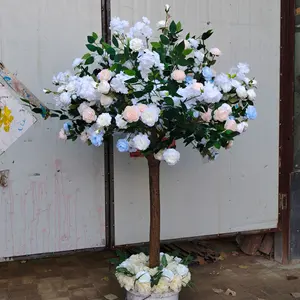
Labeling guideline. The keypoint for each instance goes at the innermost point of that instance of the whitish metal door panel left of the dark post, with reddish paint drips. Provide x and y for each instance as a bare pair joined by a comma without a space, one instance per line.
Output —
55,198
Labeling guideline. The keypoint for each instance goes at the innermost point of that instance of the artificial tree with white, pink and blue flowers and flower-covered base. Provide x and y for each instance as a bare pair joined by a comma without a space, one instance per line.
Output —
153,92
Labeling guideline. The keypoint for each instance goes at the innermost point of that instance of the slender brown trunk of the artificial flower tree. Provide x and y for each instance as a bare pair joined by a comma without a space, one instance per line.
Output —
154,250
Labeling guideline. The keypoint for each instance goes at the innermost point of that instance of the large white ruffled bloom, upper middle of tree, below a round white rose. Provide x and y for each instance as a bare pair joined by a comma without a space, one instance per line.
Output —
148,60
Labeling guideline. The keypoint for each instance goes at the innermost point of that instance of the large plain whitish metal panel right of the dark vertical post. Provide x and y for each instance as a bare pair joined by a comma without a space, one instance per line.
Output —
239,191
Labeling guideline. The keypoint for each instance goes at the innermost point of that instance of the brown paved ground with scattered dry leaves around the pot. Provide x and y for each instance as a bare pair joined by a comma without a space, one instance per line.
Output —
89,276
